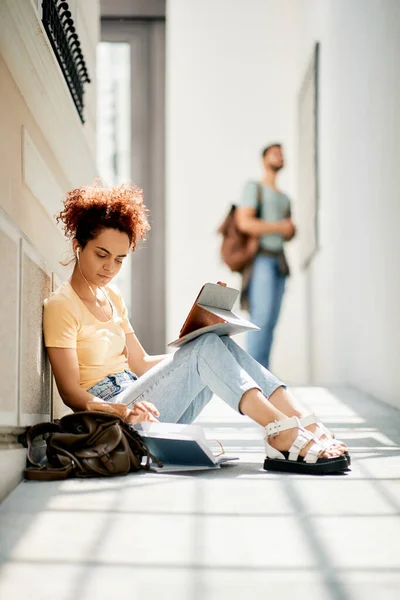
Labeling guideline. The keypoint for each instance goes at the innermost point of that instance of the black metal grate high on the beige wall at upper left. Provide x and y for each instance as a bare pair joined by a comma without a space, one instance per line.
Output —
59,25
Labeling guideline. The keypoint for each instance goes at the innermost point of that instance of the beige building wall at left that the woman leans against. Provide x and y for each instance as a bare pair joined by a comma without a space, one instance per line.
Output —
45,149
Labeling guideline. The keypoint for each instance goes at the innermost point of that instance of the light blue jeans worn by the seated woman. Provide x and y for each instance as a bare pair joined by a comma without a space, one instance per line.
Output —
183,383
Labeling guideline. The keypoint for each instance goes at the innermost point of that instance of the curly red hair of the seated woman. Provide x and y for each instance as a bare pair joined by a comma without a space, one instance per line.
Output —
90,209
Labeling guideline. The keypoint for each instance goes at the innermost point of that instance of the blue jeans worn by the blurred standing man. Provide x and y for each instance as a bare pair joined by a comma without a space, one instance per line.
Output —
266,291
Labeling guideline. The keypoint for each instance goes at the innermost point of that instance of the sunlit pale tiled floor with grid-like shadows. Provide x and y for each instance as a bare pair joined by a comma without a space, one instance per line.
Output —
229,534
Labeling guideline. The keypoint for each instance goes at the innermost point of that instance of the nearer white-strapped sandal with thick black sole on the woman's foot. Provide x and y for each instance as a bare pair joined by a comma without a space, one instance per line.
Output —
291,461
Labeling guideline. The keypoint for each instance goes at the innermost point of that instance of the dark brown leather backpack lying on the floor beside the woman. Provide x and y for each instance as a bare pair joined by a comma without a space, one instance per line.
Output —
85,444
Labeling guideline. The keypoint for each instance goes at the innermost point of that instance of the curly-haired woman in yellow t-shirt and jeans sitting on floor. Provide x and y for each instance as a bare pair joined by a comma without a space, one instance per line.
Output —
96,356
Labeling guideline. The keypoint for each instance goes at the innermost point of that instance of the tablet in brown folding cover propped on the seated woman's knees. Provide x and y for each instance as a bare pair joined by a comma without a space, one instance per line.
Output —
212,312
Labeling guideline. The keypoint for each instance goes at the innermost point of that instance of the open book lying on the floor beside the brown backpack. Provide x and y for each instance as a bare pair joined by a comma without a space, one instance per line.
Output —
180,447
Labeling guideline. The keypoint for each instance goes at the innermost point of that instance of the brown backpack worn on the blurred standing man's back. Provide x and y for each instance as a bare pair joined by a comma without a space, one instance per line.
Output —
238,249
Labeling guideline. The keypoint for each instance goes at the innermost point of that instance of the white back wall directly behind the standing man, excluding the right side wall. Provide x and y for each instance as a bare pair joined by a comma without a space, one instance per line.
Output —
231,88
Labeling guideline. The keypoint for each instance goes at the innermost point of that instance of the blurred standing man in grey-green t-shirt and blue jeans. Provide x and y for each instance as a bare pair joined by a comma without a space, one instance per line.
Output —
270,269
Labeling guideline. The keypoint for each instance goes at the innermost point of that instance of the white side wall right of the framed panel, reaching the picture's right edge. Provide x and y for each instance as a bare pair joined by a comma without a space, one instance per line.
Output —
355,277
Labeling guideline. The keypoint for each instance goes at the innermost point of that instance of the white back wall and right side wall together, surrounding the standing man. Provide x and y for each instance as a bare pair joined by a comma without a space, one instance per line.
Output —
234,71
